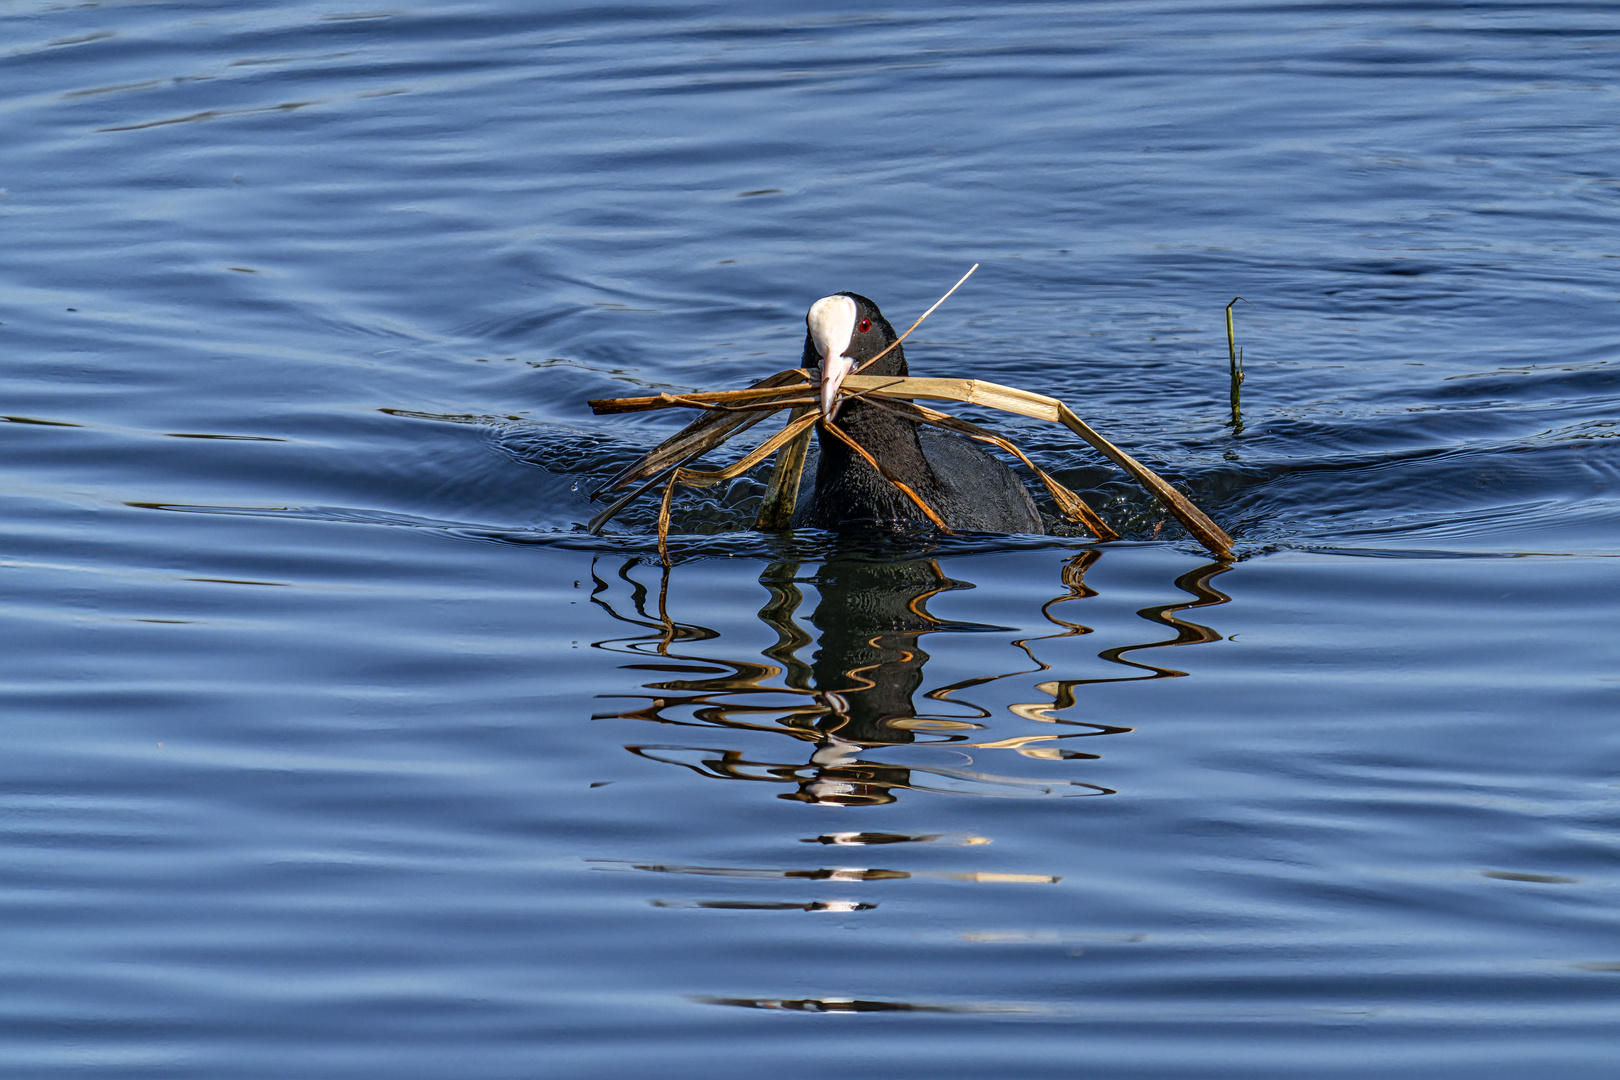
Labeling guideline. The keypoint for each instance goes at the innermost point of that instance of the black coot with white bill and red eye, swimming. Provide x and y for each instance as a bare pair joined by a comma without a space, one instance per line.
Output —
968,488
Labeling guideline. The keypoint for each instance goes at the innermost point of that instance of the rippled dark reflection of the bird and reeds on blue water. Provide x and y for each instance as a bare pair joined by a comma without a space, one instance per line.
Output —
856,700
